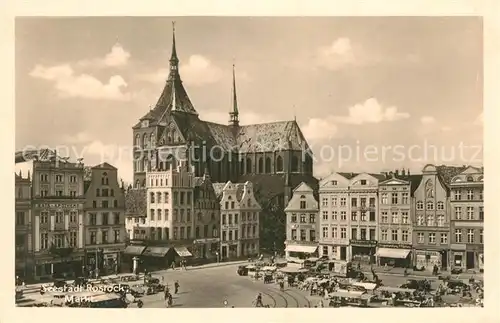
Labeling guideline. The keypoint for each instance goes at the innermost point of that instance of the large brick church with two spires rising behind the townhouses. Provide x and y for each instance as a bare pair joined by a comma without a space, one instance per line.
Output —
274,156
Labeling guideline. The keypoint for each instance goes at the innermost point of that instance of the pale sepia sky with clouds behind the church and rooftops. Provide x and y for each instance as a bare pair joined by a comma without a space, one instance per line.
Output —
370,93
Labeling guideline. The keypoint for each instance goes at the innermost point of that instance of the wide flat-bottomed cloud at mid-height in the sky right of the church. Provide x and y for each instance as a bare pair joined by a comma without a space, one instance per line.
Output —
371,111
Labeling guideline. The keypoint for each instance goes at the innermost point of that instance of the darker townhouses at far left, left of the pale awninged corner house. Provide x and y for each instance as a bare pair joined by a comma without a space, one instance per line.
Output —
70,220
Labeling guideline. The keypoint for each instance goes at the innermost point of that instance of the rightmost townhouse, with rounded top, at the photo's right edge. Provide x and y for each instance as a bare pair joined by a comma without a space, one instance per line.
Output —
467,219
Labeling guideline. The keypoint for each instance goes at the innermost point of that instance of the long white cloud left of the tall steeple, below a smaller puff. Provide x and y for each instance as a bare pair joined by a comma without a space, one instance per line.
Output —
71,85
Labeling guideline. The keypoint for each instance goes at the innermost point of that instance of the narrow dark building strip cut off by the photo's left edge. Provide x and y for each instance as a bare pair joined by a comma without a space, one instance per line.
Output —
23,227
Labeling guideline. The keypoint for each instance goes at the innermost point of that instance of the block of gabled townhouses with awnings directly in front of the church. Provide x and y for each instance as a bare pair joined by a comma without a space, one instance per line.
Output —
180,215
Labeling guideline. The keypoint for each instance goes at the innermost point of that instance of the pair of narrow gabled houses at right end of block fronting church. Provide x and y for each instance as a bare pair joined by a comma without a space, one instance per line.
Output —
239,221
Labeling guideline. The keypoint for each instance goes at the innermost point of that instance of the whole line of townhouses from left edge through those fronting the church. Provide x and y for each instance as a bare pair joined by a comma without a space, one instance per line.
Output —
73,220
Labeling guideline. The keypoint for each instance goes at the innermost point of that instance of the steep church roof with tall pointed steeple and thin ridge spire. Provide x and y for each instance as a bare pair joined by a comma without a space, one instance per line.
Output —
174,105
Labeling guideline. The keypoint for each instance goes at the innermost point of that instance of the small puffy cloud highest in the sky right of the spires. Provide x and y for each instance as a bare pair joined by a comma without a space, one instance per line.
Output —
337,55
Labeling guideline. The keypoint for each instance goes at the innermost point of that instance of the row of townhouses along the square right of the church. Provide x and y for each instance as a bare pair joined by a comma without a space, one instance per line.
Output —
399,219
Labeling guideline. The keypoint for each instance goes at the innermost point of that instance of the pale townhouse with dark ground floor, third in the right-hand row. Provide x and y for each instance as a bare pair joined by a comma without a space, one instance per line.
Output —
363,216
